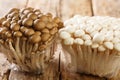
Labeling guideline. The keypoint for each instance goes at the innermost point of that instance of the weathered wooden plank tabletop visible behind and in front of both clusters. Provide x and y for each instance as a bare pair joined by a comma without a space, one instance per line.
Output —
64,9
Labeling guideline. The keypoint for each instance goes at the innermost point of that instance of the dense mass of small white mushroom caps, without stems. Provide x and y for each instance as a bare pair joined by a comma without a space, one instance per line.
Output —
98,32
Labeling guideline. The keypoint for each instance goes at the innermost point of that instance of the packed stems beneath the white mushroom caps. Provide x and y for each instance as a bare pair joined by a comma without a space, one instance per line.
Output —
85,59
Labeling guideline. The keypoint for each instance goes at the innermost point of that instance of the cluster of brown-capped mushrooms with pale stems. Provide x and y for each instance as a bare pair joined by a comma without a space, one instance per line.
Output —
28,31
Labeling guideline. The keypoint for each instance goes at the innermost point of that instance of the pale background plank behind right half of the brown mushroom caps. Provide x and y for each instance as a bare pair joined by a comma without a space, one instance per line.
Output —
44,5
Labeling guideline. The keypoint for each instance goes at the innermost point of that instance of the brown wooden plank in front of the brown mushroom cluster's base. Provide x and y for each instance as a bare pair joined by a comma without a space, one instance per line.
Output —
50,74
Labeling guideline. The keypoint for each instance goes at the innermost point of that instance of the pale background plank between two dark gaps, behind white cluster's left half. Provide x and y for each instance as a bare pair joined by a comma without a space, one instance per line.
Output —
72,7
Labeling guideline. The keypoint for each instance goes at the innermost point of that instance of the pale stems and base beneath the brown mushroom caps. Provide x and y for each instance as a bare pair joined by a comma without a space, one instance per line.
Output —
26,58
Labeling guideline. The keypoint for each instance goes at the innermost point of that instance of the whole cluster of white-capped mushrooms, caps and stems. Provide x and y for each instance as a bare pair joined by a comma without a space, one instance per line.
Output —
93,44
